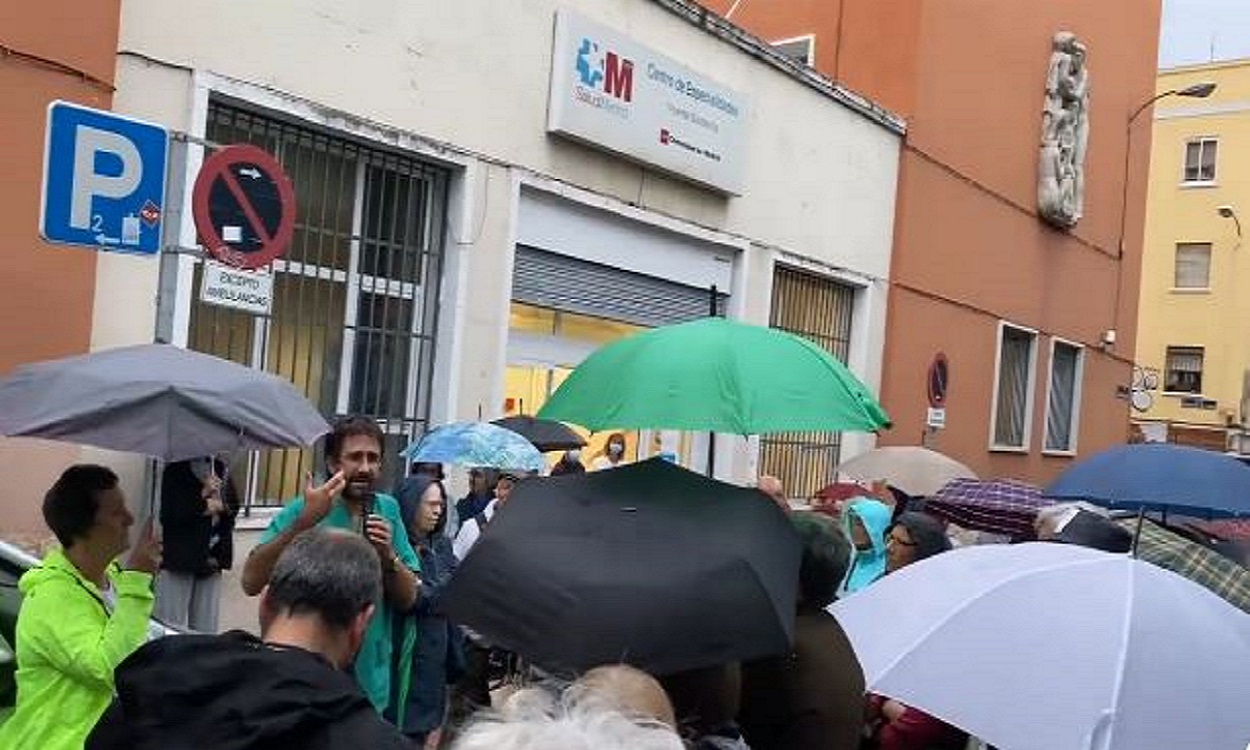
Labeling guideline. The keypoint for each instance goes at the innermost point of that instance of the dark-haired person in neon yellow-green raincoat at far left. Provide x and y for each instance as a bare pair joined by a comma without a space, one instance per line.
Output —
82,613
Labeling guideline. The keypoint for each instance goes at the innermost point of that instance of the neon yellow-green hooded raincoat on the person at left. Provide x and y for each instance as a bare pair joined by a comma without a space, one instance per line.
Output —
68,646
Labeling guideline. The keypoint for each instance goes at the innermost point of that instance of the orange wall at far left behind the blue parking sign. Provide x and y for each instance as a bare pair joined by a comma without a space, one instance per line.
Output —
58,49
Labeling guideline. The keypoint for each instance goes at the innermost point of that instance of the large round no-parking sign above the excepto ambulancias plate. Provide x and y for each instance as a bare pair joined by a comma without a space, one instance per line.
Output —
244,207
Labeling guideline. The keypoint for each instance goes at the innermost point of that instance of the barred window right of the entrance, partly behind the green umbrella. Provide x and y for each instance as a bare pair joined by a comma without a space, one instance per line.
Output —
821,311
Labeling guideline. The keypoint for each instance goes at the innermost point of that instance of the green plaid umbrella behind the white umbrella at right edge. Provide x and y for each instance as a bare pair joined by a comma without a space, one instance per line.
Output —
1199,564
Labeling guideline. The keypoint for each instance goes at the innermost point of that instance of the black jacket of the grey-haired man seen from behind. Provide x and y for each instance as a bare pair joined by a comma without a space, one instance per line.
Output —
234,693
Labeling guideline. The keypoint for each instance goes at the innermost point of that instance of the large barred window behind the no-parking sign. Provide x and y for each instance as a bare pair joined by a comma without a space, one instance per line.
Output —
356,298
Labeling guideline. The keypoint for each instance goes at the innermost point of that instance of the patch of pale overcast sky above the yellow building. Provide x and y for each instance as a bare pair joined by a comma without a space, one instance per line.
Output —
1192,27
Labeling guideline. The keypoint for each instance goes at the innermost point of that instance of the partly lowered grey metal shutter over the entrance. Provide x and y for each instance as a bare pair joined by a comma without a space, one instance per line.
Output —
571,284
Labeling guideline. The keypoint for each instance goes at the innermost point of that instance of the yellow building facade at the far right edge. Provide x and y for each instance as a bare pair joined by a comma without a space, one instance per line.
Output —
1193,356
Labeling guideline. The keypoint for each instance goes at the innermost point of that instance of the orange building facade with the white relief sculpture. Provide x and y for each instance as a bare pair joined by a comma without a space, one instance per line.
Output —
1036,324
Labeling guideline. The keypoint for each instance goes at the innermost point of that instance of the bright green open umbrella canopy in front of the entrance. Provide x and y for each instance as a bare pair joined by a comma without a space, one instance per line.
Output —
718,376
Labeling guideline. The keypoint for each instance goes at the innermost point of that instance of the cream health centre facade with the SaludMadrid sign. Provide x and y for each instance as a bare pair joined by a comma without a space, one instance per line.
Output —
466,236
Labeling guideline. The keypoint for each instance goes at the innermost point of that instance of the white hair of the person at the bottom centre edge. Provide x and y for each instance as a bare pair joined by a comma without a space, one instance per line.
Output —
536,719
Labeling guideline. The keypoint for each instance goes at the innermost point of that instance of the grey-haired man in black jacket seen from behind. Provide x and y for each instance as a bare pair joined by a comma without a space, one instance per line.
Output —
291,688
